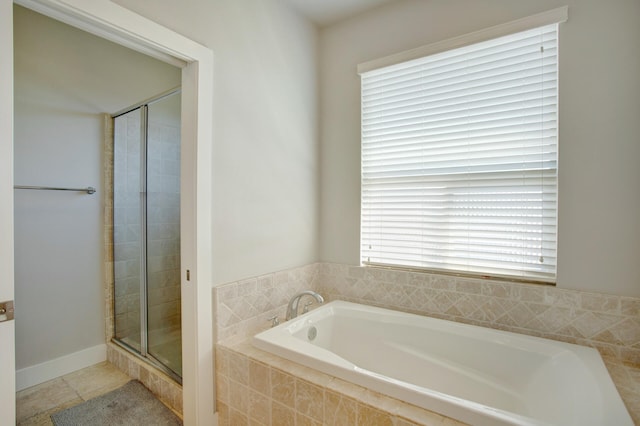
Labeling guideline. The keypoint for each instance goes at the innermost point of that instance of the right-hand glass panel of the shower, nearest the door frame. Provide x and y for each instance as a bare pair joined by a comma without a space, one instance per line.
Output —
163,232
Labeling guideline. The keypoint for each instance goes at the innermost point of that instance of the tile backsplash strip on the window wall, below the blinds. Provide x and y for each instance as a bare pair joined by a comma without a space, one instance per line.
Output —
609,323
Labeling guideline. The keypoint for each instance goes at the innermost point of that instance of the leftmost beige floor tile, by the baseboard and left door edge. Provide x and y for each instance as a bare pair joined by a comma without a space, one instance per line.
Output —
43,397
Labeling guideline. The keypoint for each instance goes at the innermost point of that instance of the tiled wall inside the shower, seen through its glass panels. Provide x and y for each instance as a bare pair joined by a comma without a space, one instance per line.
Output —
163,232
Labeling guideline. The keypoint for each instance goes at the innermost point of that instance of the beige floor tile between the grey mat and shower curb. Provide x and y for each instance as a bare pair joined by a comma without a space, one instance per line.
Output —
96,380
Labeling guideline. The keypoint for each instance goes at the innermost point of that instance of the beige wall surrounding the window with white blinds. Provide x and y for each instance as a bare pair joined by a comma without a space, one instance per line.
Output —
599,224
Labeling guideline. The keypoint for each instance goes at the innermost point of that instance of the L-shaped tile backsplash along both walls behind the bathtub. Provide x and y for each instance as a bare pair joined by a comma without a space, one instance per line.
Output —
609,323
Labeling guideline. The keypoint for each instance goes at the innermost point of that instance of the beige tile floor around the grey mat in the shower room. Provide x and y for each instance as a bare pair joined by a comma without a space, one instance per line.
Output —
34,405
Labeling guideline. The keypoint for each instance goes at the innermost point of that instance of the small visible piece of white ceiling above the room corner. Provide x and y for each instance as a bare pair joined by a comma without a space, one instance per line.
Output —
327,12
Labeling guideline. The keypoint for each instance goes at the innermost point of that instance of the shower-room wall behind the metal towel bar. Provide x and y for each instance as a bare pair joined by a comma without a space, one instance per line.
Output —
64,80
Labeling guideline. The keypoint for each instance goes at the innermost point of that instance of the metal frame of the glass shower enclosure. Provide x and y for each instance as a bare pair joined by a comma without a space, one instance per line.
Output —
143,353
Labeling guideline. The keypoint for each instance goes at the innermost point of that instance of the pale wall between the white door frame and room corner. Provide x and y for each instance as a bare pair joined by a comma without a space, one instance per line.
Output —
265,148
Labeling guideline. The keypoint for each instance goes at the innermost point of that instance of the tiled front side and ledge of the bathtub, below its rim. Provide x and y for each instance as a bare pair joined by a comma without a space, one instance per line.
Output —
257,388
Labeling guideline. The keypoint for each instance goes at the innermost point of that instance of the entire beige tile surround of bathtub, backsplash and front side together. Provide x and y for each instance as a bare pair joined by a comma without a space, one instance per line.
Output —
609,323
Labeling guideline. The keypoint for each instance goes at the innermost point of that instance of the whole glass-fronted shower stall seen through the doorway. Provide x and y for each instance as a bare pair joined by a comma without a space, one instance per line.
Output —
146,231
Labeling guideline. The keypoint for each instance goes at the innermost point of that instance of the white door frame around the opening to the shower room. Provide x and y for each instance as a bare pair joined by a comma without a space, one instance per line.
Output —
115,23
